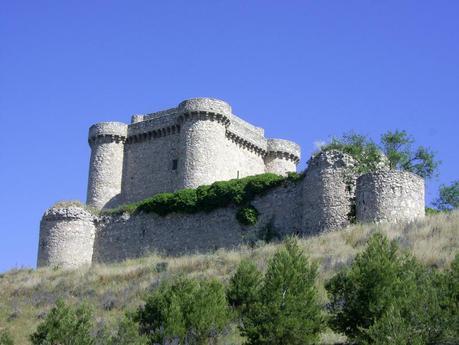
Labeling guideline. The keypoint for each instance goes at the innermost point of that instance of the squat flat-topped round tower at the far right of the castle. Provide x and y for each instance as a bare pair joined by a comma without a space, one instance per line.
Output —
393,196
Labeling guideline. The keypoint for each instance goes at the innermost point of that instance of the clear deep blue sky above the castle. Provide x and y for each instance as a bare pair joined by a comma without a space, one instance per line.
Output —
304,70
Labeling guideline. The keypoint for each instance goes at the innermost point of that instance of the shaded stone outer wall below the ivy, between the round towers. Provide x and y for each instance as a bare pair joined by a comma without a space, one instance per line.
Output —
130,236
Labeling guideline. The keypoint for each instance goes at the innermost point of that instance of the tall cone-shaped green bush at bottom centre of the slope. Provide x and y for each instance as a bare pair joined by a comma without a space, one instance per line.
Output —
287,310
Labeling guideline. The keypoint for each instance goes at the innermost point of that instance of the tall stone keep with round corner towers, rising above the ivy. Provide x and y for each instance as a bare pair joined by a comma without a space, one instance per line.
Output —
198,142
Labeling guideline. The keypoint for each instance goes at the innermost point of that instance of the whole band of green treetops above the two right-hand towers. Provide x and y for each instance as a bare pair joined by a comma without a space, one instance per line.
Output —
395,151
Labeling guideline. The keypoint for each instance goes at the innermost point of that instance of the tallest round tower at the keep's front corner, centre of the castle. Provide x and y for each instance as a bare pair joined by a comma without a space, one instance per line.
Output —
203,127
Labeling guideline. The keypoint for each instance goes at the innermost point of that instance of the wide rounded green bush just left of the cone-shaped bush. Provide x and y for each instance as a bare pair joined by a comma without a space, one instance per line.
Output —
185,310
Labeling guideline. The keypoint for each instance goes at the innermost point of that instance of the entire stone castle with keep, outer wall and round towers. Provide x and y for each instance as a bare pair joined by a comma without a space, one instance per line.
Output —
197,143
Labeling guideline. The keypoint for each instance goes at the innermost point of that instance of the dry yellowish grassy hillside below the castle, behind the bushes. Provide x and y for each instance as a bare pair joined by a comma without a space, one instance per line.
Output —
26,295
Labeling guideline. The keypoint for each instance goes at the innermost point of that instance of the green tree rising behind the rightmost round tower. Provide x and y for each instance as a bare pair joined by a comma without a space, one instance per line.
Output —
397,146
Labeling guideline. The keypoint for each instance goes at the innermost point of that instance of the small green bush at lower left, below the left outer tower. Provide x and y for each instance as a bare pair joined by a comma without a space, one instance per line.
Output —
65,325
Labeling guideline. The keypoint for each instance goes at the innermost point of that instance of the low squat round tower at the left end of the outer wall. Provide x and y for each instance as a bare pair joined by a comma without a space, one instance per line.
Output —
66,236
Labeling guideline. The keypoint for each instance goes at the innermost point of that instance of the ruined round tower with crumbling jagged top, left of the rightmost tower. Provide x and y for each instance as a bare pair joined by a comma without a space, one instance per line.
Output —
328,192
